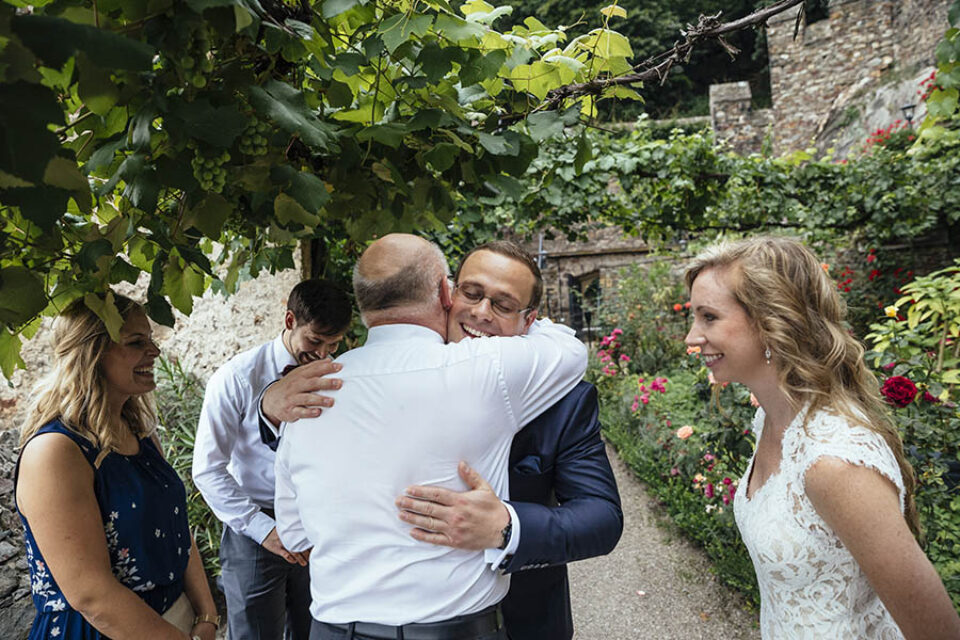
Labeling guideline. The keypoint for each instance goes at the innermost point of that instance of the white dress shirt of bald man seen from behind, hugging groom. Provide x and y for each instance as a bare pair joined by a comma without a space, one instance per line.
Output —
411,407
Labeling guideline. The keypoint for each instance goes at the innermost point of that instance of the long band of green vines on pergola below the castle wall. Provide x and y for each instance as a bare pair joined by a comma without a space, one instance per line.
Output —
672,188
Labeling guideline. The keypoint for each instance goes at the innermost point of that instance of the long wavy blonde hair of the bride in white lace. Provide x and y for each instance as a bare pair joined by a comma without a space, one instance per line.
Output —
798,315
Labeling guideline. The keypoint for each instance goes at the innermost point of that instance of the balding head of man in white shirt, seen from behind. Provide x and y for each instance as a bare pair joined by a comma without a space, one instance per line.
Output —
399,272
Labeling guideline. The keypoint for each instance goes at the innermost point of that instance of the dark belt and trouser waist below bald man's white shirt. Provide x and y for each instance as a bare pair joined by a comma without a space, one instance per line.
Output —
464,627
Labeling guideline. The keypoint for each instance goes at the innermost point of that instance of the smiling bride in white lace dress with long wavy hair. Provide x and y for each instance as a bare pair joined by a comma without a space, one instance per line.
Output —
826,505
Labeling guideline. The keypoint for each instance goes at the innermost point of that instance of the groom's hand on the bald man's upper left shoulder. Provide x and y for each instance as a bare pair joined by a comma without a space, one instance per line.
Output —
292,397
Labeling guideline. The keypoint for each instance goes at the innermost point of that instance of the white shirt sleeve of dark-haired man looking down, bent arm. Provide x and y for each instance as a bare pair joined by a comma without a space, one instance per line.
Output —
218,429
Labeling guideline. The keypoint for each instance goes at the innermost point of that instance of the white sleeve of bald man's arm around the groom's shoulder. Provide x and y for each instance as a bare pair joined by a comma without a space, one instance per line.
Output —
540,368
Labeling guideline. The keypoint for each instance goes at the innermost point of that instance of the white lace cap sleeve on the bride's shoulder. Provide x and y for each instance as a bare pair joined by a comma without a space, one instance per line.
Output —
833,437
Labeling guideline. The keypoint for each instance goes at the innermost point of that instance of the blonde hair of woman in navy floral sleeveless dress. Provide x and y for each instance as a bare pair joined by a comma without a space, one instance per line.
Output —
75,389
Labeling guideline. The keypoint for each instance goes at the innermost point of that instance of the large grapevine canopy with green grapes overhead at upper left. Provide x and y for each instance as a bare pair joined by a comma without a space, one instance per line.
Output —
140,139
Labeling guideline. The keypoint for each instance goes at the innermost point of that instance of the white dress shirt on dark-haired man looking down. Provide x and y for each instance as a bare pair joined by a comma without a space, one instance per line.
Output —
232,468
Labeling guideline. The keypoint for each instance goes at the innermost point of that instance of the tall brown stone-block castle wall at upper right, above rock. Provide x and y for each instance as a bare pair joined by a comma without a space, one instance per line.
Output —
861,39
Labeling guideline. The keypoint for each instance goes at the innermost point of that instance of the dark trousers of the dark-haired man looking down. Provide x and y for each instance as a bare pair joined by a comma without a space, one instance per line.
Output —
265,593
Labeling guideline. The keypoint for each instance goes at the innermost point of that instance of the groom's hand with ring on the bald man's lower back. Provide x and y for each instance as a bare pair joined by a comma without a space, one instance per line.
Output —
472,520
